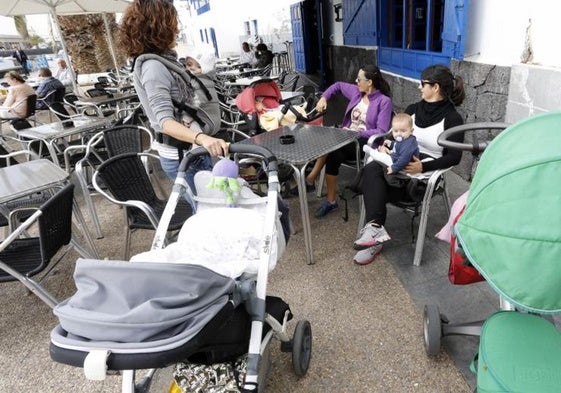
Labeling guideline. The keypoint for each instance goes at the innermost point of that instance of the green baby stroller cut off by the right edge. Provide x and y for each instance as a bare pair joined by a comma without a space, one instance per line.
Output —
509,233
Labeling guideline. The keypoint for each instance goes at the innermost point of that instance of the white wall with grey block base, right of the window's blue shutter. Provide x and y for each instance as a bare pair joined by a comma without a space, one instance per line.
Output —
523,35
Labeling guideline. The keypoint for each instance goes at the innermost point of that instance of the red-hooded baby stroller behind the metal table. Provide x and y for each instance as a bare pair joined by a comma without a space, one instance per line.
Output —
262,109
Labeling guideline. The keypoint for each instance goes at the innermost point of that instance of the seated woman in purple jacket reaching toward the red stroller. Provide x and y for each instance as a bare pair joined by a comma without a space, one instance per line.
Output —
369,112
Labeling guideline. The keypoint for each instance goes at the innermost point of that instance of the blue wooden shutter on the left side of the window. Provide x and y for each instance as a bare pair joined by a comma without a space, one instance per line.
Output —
359,22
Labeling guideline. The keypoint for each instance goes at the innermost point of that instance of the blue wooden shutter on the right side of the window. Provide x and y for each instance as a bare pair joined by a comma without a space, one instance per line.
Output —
454,32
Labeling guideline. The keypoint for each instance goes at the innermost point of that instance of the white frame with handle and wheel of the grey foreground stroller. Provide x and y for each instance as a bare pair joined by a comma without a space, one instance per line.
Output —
251,291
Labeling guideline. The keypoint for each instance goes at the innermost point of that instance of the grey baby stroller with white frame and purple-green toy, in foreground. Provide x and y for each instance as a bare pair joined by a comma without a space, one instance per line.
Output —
127,316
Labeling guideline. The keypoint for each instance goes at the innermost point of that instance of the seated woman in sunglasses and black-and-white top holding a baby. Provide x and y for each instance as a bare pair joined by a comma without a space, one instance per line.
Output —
441,92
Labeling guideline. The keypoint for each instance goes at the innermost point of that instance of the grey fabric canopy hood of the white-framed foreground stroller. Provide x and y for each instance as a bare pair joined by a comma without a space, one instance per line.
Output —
140,301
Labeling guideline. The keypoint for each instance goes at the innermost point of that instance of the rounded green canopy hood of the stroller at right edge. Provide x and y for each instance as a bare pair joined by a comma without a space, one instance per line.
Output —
510,228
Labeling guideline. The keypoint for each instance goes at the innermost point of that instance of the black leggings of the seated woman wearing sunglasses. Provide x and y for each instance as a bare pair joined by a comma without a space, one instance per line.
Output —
377,193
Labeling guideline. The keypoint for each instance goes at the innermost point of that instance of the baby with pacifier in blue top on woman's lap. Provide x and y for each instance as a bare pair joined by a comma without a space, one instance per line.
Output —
397,153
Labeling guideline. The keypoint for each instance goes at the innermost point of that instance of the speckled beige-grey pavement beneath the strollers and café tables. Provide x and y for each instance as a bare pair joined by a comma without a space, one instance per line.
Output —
367,329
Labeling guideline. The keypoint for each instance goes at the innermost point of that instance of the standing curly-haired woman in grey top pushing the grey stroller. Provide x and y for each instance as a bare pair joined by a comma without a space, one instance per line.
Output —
151,27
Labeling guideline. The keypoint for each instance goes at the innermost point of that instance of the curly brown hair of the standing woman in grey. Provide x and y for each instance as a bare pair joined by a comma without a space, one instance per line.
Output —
148,26
